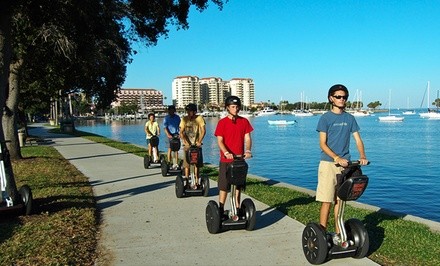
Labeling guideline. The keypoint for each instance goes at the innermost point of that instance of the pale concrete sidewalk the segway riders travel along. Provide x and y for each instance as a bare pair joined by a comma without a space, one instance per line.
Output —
143,223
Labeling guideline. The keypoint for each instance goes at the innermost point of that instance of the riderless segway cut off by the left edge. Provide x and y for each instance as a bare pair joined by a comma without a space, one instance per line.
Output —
23,201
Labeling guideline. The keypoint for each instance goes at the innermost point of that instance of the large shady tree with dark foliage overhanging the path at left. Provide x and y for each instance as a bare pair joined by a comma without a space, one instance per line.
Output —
69,24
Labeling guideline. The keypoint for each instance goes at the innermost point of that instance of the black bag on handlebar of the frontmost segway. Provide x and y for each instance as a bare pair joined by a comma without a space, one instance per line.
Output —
351,184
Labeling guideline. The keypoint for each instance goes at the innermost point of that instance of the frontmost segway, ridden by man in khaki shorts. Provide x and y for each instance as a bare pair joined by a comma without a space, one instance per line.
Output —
319,246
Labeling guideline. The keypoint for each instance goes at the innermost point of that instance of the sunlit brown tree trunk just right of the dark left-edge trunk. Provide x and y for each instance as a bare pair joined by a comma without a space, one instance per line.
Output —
10,116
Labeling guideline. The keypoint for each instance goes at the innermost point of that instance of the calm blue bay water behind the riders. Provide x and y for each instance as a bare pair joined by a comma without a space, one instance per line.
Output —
404,173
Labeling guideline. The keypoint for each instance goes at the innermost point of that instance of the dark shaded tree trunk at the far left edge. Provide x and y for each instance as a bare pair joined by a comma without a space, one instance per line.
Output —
5,59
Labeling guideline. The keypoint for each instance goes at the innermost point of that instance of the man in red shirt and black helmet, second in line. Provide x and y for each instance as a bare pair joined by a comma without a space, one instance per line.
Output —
233,134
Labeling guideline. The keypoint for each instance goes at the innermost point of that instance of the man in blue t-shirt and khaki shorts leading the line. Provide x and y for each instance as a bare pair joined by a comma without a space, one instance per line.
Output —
335,128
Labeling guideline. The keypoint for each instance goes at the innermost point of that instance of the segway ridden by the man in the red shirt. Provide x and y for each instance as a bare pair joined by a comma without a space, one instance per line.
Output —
231,219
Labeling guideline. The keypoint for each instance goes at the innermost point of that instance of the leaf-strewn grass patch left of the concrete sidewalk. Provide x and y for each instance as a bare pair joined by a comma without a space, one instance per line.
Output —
64,228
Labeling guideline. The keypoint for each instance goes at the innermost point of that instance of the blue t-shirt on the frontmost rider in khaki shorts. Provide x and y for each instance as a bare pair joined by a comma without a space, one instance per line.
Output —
338,127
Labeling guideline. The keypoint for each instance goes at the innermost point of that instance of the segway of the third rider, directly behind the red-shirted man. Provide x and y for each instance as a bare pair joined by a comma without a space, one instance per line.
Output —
188,186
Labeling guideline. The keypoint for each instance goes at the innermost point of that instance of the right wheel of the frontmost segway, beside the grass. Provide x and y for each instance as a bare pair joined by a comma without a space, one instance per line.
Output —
358,234
